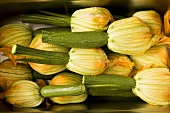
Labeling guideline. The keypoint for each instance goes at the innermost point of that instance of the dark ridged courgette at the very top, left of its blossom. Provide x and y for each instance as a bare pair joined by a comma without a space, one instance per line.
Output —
51,19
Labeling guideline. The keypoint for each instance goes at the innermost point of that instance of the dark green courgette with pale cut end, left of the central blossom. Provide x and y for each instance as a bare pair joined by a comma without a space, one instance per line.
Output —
40,56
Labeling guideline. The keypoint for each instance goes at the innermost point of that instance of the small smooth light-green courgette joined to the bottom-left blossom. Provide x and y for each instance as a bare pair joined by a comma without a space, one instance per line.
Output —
62,90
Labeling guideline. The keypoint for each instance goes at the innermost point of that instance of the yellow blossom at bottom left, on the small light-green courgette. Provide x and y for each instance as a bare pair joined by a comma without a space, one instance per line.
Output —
24,93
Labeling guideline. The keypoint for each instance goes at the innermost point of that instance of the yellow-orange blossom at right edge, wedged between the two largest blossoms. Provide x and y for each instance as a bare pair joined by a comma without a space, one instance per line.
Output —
156,57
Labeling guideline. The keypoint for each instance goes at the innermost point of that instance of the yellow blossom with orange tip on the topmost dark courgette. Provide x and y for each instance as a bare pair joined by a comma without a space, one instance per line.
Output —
91,19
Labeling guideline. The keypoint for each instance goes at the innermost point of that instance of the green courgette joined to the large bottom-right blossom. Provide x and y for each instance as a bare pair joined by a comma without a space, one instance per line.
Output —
118,81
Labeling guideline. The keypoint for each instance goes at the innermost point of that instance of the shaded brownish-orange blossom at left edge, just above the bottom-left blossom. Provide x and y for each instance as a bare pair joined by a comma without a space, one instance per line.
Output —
9,73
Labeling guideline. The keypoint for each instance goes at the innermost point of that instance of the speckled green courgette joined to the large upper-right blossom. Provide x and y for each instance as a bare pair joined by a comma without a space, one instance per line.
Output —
92,39
